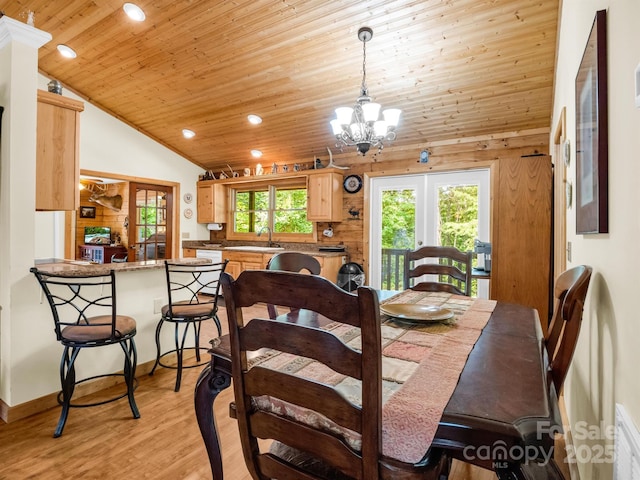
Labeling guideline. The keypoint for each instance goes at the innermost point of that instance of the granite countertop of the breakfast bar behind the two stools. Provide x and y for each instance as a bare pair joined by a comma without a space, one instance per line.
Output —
80,268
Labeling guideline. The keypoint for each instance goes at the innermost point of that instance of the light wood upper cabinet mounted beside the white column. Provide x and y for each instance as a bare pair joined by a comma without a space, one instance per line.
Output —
57,154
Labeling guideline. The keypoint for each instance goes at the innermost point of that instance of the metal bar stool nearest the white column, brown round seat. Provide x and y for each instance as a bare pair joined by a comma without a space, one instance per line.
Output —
84,314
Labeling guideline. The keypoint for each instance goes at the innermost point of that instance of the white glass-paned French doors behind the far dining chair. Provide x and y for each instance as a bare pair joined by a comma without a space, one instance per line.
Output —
410,211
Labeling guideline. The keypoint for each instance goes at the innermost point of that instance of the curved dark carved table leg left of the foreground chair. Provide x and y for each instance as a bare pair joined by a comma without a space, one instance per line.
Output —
210,383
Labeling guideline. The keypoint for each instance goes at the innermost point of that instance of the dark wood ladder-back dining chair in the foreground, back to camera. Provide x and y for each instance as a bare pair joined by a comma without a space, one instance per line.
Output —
273,403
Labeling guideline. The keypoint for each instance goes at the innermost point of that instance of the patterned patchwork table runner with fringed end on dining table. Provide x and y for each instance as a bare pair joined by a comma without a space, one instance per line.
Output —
421,365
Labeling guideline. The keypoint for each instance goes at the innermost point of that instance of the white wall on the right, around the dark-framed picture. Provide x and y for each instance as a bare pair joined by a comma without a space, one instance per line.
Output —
605,366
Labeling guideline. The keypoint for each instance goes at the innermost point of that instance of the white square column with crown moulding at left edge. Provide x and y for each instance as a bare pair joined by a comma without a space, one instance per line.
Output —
19,44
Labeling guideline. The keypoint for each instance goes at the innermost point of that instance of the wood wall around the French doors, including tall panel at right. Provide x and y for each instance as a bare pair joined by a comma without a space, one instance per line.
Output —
521,210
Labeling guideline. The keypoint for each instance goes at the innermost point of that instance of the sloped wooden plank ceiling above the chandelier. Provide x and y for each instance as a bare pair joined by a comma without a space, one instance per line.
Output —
456,68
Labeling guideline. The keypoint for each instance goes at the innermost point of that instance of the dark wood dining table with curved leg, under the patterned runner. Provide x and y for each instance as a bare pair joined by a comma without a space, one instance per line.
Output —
503,414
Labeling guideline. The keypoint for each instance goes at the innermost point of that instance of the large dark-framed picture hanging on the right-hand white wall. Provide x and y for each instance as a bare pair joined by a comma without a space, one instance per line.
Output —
592,178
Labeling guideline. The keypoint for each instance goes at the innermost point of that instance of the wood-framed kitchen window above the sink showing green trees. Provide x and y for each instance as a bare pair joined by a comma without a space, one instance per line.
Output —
279,207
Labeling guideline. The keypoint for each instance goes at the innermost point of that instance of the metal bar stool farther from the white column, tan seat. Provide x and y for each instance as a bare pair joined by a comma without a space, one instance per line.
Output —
193,298
